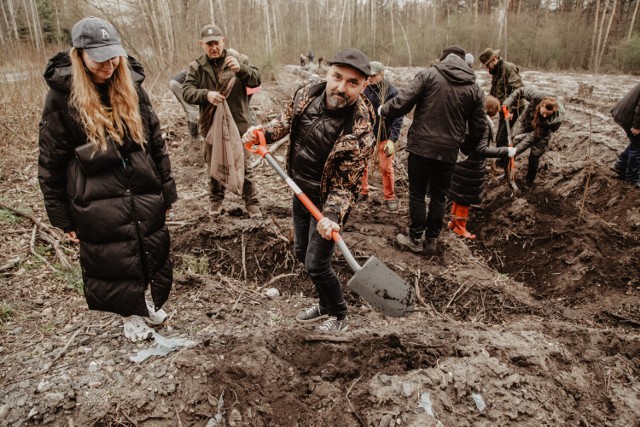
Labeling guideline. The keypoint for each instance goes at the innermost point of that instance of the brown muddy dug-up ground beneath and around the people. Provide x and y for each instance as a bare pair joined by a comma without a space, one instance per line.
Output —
535,323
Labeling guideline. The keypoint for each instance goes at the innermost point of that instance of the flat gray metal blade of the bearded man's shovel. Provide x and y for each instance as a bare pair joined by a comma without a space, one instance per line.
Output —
383,288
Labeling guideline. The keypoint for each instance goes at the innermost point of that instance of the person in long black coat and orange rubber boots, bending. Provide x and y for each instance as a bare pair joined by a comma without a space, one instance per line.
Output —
468,176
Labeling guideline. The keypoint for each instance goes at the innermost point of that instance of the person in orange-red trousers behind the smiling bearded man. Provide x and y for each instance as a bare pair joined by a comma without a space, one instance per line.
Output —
387,131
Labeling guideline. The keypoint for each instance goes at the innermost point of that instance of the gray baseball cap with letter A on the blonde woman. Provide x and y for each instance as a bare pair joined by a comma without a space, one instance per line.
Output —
98,38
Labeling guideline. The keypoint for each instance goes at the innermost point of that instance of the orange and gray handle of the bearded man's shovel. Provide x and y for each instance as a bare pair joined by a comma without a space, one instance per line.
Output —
262,150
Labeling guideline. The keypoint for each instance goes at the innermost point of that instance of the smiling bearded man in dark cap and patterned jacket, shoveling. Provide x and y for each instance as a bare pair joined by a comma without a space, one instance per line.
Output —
331,140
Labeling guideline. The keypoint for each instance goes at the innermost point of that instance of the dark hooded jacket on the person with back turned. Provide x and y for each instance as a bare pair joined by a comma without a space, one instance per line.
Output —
446,99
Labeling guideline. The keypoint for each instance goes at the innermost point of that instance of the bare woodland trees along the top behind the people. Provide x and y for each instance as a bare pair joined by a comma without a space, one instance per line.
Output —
577,35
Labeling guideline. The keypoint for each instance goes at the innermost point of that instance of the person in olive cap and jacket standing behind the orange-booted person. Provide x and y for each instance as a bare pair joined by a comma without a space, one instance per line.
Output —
505,79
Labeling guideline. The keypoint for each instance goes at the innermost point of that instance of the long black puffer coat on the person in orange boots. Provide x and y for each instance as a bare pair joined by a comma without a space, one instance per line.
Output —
467,181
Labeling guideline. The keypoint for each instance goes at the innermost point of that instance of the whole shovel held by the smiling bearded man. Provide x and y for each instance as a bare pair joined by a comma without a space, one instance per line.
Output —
374,282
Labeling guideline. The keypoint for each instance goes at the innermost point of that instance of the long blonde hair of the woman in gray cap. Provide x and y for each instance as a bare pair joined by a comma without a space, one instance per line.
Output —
99,123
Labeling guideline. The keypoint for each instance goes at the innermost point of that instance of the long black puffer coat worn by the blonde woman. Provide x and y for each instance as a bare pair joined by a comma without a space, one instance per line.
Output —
118,212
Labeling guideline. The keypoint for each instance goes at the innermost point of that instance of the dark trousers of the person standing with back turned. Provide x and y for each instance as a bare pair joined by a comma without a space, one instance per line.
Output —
435,176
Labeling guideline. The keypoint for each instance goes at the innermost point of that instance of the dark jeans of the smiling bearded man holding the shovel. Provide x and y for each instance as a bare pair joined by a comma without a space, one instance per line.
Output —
315,253
